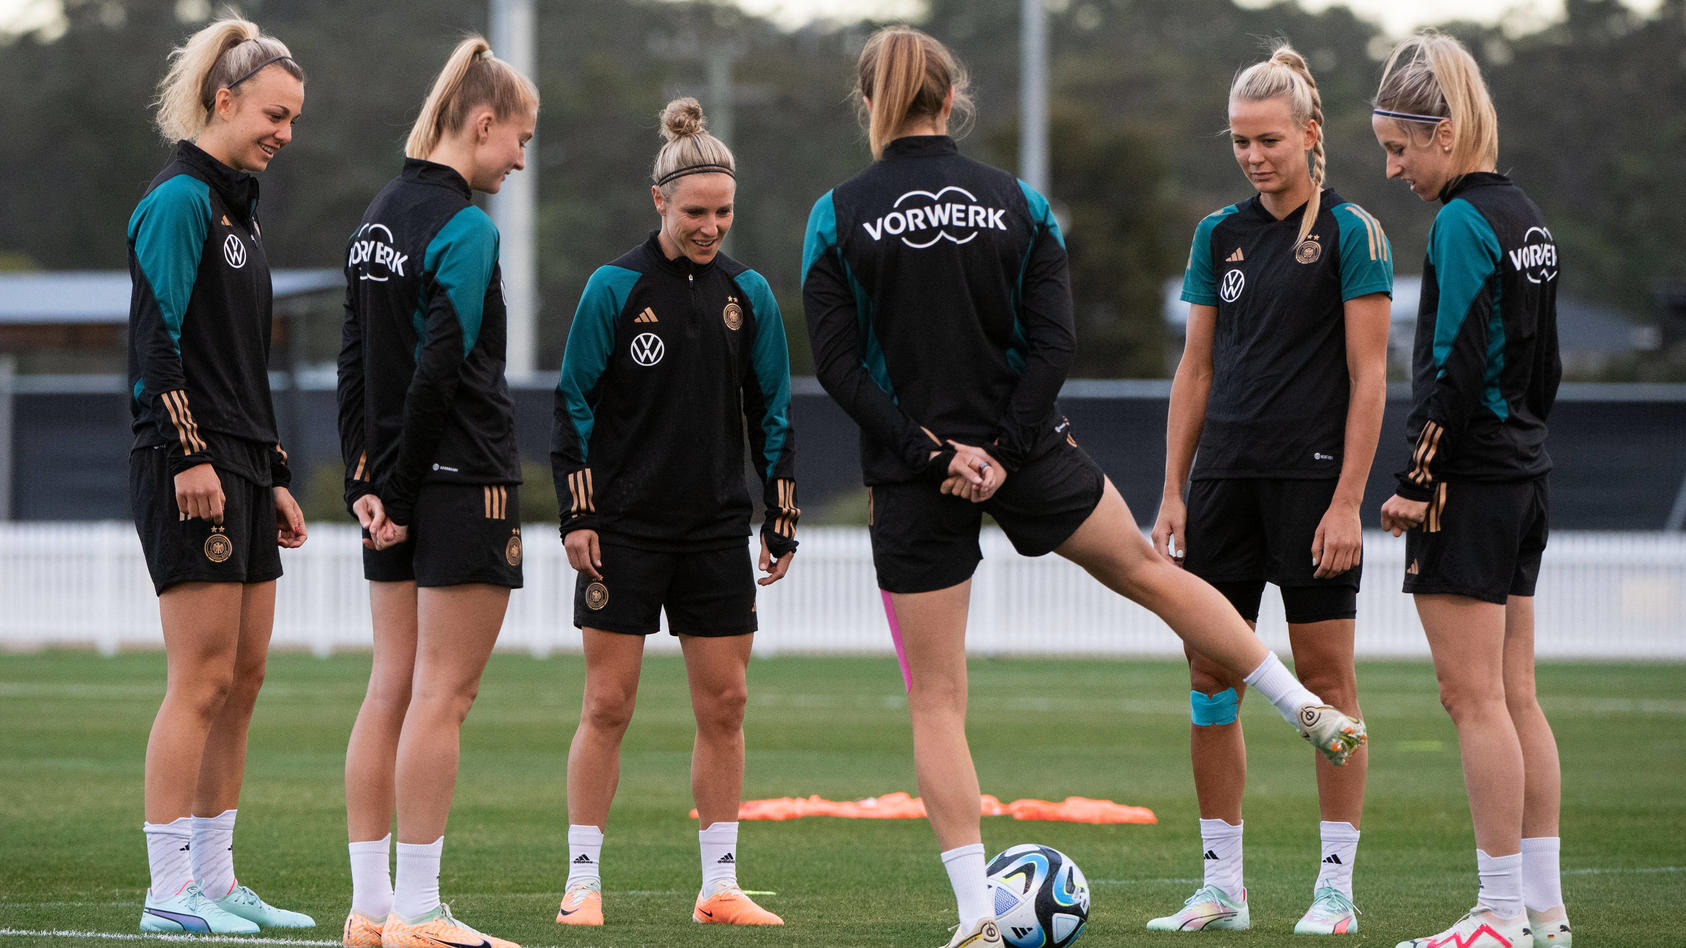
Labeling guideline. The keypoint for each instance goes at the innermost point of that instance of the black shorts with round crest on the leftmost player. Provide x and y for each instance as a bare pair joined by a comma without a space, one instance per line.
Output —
242,549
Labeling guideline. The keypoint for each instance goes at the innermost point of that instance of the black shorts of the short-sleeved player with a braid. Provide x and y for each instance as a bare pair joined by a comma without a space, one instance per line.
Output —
1245,532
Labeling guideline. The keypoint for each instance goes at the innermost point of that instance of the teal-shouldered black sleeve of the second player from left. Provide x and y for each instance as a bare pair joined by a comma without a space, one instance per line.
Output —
458,271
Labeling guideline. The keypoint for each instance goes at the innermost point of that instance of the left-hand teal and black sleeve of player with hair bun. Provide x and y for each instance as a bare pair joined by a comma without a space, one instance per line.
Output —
584,362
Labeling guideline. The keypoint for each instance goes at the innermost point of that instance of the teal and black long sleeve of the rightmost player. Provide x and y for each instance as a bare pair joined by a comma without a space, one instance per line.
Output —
1464,256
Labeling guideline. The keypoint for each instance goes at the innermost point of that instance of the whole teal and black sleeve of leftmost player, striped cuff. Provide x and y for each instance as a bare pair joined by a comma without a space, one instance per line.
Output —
166,239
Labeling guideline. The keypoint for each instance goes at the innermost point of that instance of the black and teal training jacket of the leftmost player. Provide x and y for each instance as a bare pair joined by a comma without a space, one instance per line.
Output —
200,321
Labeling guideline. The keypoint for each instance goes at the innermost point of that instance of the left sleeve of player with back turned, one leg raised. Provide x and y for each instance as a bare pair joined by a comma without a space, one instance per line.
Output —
837,308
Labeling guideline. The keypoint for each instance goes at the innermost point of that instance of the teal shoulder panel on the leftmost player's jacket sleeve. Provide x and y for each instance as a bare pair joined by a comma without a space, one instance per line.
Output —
169,235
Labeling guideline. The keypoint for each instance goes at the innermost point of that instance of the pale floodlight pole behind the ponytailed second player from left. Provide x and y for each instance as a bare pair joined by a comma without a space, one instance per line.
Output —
513,31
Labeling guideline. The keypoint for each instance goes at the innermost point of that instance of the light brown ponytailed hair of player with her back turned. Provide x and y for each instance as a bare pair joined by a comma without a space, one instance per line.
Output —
908,75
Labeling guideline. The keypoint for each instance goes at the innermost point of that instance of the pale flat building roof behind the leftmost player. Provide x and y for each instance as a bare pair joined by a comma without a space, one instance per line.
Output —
85,298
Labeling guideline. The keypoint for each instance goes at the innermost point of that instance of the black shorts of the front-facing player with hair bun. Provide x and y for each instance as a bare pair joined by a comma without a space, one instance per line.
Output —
707,593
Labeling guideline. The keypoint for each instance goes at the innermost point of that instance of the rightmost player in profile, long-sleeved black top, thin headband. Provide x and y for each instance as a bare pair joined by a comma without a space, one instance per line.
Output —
1473,500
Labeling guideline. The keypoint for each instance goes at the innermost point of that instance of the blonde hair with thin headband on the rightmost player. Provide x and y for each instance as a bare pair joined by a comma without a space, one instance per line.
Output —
1431,78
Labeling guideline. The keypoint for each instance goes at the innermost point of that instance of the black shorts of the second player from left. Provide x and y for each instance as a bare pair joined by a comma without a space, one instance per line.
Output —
459,534
